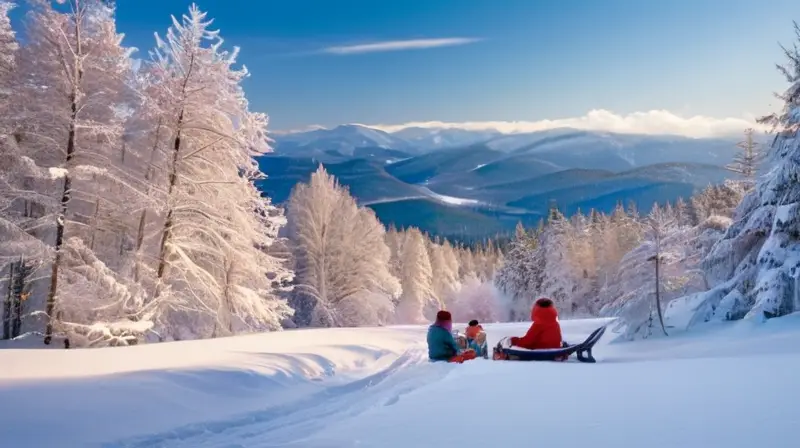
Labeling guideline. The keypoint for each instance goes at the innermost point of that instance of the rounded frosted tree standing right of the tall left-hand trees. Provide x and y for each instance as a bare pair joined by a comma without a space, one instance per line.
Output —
341,258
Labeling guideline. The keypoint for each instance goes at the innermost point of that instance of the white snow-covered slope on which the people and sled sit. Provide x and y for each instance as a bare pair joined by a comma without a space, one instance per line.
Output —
726,385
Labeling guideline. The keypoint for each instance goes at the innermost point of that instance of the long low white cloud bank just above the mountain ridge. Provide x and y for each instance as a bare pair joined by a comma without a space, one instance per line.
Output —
654,122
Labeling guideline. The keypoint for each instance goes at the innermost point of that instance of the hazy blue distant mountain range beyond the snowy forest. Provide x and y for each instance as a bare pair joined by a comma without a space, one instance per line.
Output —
471,184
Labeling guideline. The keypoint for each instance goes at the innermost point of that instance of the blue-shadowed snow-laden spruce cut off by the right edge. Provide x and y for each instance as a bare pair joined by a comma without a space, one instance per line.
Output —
754,270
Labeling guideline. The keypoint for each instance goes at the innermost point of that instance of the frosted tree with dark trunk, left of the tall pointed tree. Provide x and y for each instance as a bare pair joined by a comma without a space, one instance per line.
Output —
70,82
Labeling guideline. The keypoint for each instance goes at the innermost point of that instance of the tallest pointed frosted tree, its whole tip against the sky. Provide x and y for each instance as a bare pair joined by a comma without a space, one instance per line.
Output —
212,262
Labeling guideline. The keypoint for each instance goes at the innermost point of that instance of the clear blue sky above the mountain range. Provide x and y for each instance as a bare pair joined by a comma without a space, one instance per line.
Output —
530,59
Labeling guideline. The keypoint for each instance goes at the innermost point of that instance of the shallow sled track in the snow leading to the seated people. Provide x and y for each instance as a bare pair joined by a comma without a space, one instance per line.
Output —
286,425
